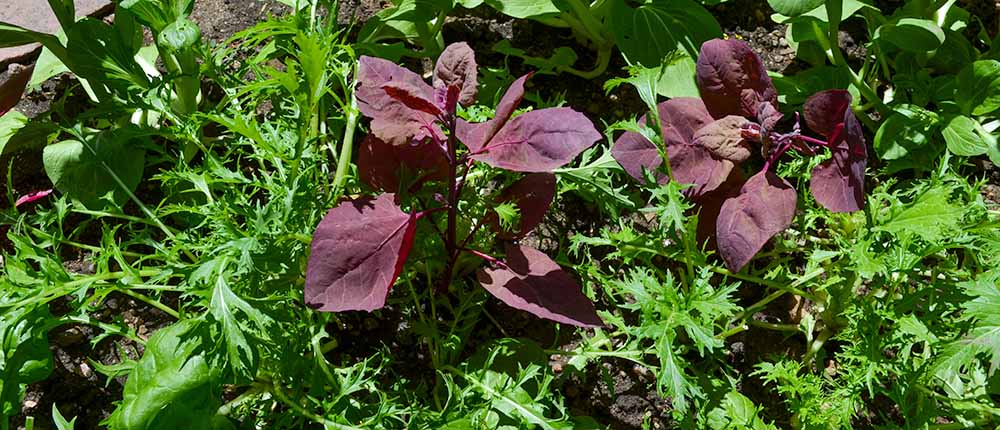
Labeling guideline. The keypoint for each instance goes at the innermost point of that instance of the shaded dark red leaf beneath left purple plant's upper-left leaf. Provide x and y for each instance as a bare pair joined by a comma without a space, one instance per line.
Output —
380,164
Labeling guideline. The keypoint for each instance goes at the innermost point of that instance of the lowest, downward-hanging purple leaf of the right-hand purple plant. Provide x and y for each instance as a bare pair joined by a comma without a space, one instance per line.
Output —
764,207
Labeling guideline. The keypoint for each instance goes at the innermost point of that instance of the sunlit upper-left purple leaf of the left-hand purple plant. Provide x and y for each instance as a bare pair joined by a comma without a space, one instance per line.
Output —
392,120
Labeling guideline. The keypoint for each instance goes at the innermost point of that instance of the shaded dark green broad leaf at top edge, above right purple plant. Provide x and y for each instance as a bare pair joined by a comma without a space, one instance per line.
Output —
653,30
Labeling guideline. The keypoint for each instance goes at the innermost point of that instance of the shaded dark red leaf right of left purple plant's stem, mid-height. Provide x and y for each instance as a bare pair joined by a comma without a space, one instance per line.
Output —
533,195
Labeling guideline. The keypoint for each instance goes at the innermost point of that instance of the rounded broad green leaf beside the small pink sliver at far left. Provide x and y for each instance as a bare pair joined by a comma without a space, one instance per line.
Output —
86,171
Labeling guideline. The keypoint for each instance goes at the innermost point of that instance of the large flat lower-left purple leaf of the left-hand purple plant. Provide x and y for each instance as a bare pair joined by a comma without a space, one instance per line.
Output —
358,250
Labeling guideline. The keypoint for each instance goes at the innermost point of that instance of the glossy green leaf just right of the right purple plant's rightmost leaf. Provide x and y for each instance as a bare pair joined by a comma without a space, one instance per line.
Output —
906,139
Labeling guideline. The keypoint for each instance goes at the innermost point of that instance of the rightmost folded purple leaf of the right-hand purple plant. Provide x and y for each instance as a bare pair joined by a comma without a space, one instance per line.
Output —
839,183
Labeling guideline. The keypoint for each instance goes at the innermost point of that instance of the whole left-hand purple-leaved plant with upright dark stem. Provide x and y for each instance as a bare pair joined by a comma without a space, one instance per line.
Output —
360,247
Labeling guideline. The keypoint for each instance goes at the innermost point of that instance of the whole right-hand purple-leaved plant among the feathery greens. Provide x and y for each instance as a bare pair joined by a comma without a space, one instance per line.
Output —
706,141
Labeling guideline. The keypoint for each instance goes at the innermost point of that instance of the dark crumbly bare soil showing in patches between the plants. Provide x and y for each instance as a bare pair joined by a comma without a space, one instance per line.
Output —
627,404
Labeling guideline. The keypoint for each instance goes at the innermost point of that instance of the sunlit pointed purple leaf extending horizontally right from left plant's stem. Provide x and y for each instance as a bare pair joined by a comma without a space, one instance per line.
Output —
539,141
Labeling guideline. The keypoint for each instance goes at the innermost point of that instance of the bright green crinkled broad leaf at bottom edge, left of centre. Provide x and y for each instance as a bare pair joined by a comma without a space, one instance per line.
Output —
173,385
